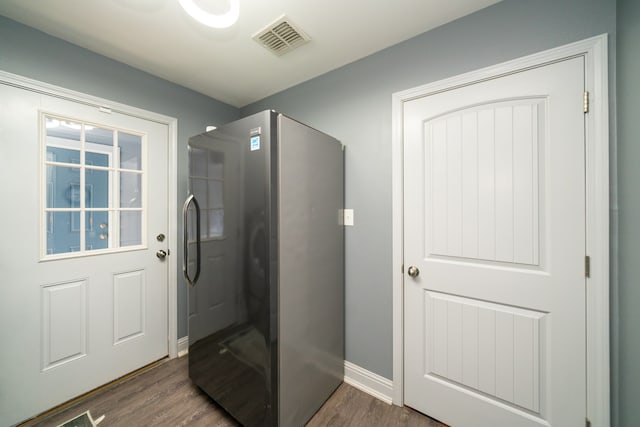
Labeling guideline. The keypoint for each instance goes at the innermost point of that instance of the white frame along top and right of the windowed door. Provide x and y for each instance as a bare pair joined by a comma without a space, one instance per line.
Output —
172,124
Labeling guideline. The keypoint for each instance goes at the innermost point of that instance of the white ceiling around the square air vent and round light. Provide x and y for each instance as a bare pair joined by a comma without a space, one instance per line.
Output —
157,36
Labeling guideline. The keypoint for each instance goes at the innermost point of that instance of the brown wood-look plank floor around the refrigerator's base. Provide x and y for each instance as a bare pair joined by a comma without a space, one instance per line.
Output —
164,396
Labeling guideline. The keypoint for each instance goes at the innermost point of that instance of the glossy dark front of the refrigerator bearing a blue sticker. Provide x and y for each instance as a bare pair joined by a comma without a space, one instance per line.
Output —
230,306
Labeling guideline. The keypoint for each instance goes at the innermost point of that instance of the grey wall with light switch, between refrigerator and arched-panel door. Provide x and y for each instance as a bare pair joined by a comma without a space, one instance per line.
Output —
353,104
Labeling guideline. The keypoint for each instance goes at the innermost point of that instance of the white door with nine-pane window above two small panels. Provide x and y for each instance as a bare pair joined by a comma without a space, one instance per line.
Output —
83,295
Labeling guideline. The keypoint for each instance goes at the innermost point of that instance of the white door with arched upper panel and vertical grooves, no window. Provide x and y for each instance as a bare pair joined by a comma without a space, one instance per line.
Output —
494,228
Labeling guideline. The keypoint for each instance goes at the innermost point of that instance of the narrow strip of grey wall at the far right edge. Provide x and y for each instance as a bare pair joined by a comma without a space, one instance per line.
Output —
627,371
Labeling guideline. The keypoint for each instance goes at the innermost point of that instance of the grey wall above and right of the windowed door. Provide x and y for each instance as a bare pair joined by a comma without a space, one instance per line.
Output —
36,55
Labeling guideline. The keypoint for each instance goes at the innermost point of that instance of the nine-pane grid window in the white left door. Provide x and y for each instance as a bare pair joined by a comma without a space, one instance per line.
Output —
94,182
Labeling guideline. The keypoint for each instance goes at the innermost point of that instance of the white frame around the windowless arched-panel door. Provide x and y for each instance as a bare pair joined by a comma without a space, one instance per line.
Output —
594,50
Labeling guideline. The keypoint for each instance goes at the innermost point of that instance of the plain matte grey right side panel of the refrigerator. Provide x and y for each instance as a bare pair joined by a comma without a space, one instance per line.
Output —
311,271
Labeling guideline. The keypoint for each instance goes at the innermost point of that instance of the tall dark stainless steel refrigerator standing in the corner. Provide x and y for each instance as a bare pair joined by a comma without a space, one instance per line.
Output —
264,263
